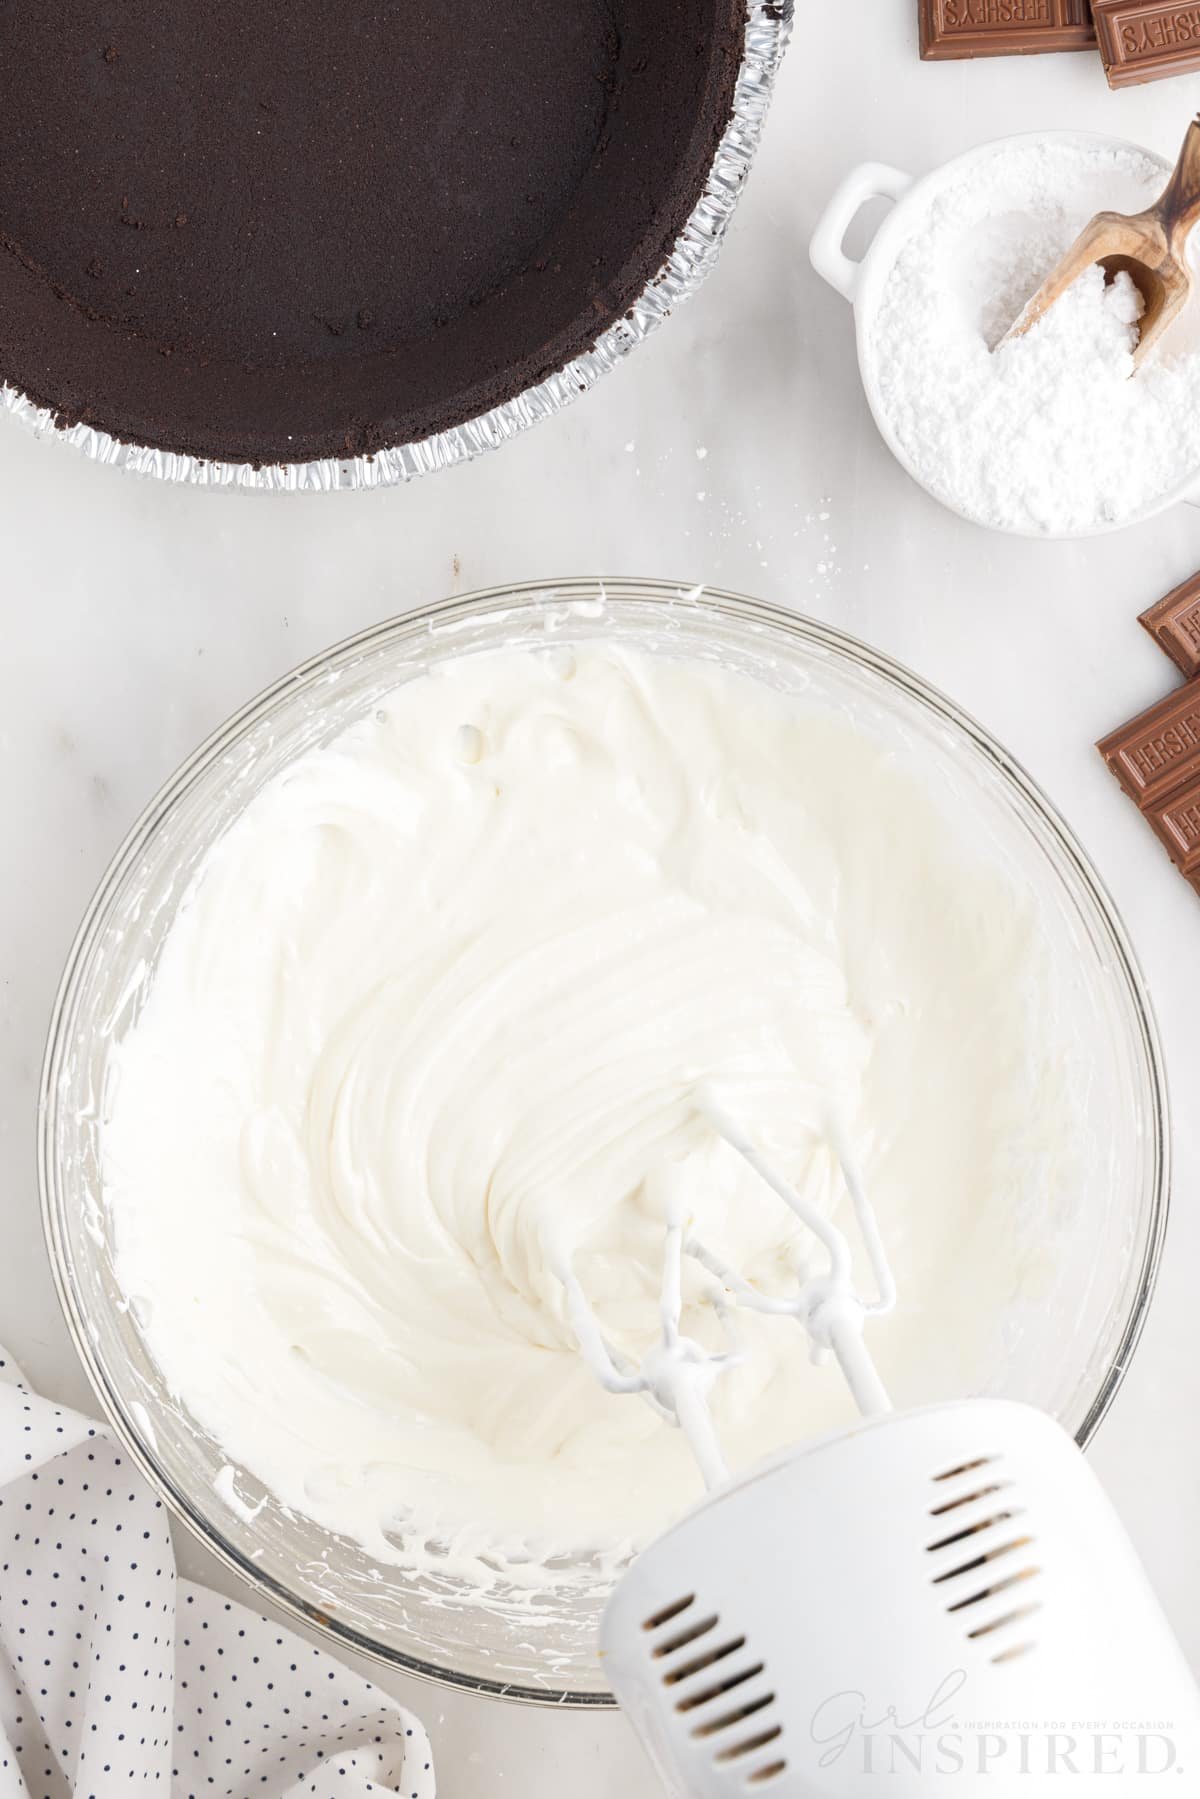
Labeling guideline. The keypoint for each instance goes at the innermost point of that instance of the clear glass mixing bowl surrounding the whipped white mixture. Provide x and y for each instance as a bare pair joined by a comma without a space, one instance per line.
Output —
1080,1329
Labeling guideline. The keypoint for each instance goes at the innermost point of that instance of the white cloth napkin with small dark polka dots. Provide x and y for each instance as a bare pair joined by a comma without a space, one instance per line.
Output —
116,1678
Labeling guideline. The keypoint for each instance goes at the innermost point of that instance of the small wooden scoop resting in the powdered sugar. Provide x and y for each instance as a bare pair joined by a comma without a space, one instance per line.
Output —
1145,246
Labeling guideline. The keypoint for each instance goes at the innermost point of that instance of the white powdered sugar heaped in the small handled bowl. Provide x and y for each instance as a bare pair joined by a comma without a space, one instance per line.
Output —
1052,433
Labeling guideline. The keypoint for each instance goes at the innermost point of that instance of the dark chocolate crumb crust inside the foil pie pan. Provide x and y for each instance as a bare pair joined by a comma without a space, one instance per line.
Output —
278,233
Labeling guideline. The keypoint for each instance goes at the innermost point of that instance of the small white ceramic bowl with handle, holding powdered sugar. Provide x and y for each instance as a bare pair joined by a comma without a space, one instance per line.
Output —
863,283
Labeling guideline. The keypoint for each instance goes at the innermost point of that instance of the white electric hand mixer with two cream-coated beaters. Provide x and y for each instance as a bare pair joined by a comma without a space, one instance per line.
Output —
936,1600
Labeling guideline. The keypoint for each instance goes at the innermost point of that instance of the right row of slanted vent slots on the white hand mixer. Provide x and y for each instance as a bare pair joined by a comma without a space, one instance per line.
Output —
980,1559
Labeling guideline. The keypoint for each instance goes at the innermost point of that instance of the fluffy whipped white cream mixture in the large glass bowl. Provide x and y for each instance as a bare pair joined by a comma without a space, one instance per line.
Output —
434,1017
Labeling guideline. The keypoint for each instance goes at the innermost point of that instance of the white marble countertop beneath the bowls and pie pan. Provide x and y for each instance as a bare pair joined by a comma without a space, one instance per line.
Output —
735,449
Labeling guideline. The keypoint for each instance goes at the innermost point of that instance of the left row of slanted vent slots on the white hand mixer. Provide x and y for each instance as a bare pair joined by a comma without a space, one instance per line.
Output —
712,1681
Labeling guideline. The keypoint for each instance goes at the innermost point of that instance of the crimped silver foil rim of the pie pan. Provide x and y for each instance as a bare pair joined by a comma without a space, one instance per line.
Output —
695,253
